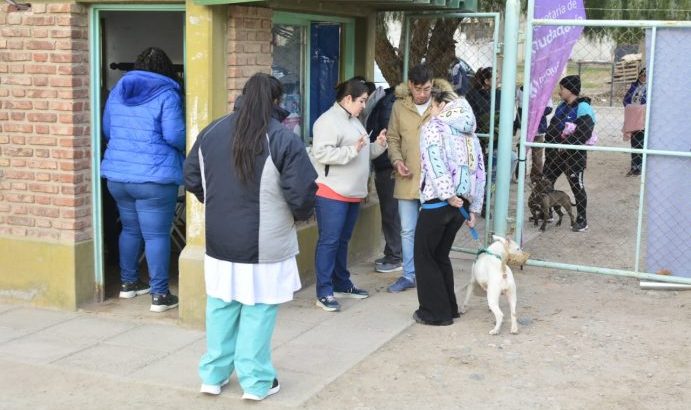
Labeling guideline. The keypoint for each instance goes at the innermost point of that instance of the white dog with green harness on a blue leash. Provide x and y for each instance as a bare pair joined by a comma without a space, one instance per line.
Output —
492,273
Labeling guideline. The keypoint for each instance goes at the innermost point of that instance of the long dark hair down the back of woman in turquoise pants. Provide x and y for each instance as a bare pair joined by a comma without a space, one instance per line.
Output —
252,121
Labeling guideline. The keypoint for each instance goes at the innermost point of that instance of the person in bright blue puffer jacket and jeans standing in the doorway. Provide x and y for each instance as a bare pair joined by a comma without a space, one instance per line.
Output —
144,125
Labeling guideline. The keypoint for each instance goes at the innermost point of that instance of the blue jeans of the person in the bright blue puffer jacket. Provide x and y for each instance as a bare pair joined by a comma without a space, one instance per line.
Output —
146,212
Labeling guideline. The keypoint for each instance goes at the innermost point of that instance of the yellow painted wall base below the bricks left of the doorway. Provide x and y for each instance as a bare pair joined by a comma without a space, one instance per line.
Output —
47,274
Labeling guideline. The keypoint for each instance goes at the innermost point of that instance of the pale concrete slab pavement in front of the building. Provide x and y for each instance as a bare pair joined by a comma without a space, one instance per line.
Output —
52,359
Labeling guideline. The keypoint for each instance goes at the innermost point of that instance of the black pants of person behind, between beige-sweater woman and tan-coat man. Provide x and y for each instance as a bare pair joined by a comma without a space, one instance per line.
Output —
388,206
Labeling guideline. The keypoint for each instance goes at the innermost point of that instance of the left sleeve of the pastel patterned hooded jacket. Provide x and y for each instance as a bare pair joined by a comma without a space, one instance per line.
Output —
434,160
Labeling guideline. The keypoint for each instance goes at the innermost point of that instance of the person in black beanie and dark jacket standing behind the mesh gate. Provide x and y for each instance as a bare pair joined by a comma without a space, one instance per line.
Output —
572,124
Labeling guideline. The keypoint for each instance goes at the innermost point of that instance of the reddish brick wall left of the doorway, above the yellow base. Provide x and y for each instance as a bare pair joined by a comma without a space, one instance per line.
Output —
45,153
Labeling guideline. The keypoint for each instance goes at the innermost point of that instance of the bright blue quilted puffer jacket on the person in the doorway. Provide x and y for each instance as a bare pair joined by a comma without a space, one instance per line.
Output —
144,127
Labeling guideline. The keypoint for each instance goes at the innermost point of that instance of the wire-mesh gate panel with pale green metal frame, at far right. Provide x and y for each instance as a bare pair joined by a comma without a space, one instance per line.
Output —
638,221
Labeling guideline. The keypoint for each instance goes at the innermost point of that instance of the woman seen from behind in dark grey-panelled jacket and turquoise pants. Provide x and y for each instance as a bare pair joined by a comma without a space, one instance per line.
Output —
256,180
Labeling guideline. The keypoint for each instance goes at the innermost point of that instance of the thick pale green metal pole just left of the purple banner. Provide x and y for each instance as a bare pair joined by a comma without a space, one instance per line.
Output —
501,200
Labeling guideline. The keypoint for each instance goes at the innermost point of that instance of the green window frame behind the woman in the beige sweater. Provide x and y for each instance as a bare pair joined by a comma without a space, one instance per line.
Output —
347,68
